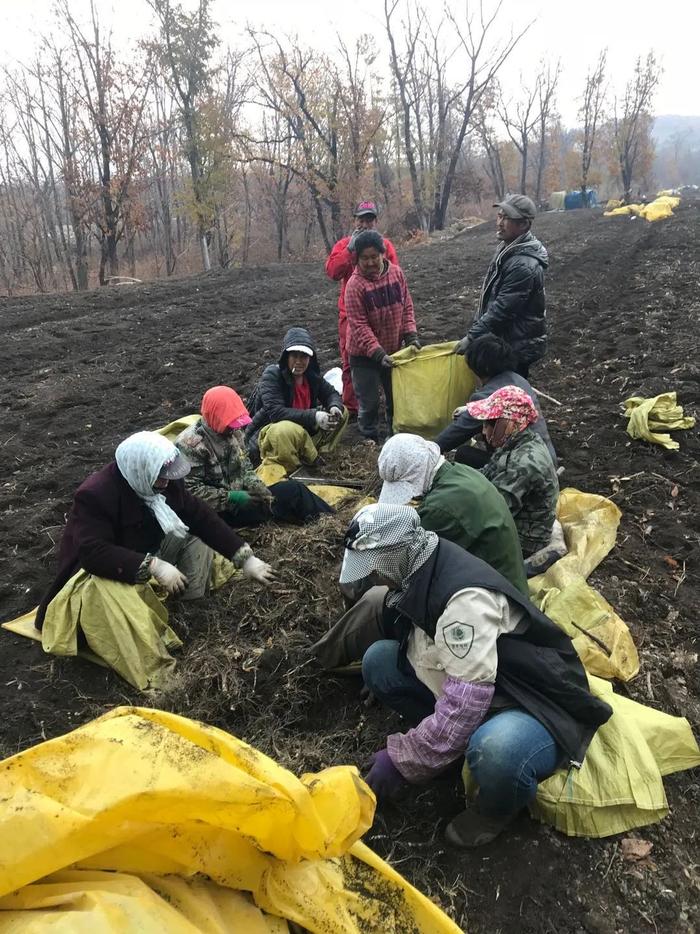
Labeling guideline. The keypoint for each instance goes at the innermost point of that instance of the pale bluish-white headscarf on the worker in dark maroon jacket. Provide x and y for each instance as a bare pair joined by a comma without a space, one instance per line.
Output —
140,458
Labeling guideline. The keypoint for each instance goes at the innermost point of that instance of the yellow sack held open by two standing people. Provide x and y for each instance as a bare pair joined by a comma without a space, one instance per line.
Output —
427,387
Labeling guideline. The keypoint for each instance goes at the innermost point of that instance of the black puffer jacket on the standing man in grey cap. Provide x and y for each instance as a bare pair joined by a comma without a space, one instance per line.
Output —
512,304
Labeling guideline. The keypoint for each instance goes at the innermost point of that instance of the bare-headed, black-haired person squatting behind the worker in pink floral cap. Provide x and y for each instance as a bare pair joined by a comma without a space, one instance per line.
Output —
494,363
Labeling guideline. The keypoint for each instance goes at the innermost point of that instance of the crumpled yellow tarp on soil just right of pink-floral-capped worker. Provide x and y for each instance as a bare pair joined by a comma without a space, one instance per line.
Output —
601,638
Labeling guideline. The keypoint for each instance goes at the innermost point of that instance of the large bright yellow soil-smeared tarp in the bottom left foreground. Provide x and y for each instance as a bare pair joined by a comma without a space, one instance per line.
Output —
159,799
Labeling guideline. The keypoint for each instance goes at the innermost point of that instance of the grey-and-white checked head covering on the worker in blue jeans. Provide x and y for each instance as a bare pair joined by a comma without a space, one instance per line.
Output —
388,540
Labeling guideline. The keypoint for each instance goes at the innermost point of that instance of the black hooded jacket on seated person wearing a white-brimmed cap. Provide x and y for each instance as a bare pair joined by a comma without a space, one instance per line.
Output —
271,400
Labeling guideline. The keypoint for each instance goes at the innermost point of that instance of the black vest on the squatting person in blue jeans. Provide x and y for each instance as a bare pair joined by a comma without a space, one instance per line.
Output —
538,667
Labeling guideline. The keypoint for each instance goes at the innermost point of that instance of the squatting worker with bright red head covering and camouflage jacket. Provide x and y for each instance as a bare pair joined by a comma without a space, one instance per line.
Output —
222,475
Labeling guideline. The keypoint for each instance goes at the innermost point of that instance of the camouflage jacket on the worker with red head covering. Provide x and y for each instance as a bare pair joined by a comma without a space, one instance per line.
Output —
218,465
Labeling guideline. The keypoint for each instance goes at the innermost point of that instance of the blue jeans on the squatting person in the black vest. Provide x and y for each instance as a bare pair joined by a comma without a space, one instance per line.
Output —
508,755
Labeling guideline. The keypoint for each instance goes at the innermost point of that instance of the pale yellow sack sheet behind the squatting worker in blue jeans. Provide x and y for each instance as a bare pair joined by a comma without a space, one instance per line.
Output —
620,784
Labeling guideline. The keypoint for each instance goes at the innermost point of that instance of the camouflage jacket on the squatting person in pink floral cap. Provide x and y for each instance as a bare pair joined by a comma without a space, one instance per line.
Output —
523,472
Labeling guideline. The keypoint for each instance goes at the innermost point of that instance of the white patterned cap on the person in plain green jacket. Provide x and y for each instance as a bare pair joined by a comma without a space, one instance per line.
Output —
407,464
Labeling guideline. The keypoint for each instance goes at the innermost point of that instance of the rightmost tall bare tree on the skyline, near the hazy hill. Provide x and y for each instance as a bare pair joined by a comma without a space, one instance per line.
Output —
631,118
